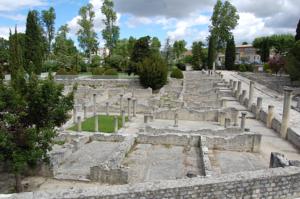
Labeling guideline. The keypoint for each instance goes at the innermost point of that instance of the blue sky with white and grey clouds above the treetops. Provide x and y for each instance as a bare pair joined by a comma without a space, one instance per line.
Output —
176,19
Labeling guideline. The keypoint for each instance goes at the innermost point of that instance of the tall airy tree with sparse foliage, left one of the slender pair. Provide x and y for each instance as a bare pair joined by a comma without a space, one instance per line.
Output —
87,36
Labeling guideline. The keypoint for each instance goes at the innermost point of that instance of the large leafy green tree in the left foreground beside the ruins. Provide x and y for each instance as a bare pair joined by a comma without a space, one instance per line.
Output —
29,113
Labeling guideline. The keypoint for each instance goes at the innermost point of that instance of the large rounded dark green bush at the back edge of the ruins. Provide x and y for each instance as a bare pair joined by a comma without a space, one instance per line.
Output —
153,72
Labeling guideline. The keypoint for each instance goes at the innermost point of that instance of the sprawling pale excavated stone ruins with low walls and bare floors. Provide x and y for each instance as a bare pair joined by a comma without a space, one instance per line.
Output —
204,130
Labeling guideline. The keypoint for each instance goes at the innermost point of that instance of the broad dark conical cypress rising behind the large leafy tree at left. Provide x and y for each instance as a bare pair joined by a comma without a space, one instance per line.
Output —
34,44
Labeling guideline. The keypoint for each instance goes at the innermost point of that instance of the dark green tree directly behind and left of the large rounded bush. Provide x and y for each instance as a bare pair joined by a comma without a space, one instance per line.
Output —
141,50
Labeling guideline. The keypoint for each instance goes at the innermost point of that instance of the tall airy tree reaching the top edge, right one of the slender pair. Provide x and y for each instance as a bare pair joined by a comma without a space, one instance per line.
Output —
111,31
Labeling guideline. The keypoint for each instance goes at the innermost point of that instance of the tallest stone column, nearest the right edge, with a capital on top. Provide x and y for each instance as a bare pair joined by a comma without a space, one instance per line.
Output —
286,111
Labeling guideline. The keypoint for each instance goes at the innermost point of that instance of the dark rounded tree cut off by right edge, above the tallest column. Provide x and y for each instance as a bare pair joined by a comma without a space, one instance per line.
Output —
293,62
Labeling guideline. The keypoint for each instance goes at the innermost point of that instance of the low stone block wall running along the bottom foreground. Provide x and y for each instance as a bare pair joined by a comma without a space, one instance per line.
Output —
271,183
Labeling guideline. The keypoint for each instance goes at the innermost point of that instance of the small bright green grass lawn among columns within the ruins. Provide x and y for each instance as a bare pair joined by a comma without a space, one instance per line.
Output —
106,124
